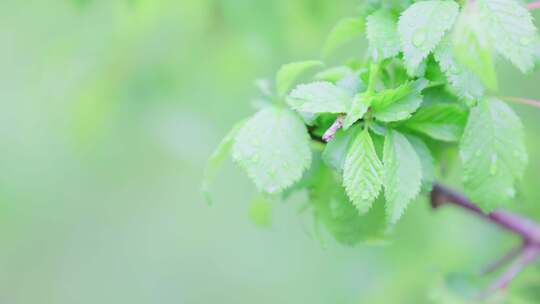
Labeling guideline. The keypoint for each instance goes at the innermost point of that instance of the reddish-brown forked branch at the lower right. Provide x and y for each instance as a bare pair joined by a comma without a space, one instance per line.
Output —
526,229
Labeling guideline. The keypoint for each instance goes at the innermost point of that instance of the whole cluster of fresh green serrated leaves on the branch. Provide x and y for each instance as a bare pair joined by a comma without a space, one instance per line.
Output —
425,85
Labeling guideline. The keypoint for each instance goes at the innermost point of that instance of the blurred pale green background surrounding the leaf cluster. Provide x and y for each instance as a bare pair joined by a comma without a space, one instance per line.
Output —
109,112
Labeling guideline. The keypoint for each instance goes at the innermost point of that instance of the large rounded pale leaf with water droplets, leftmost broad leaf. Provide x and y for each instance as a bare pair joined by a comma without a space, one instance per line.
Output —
273,148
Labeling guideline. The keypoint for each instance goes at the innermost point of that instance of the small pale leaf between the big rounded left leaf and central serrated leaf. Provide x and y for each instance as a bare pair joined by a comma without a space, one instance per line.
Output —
335,152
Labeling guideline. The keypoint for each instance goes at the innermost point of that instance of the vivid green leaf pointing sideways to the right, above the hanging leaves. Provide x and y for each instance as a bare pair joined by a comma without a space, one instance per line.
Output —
440,121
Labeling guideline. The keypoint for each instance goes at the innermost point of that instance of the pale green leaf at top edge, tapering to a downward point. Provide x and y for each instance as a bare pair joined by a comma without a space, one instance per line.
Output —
422,26
